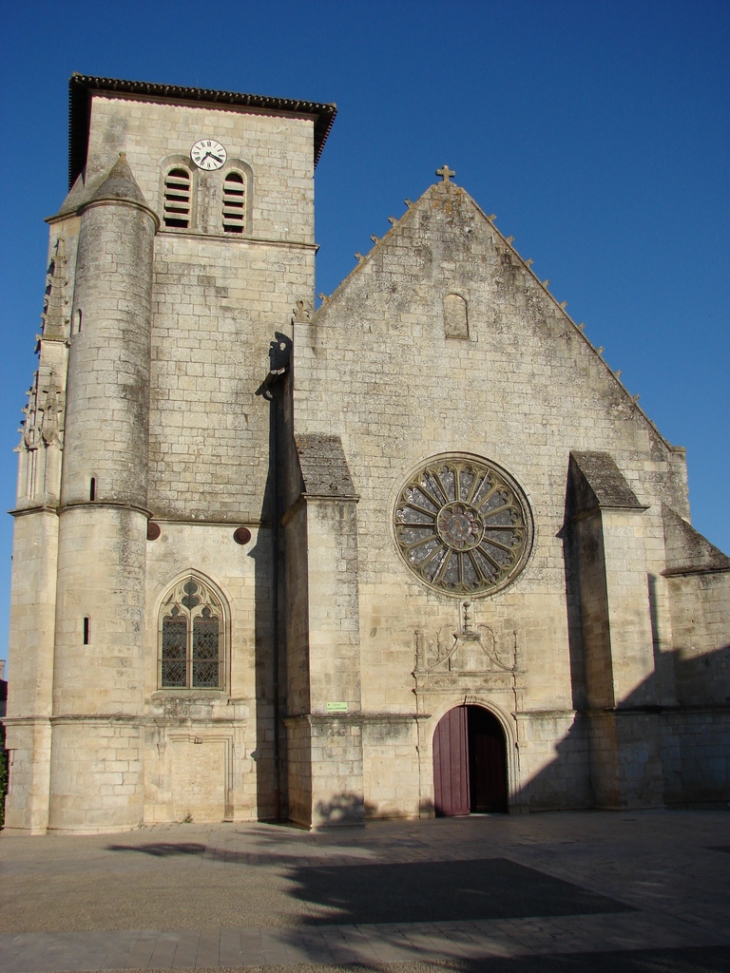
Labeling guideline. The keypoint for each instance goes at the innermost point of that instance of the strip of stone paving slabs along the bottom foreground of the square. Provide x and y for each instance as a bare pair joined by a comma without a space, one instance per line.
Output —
378,943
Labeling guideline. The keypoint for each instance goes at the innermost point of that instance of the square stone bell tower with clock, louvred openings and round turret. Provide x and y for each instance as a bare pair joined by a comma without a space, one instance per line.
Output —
143,647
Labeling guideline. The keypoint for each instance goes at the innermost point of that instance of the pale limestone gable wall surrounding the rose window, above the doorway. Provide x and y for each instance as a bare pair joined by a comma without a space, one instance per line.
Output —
378,367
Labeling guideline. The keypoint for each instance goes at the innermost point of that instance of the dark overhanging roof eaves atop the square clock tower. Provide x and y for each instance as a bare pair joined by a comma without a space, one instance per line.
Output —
81,86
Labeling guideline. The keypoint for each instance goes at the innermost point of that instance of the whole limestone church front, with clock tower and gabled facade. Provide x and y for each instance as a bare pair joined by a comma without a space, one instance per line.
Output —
416,552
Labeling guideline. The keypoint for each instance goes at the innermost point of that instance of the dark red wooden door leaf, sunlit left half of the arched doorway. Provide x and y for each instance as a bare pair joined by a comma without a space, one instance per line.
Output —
451,764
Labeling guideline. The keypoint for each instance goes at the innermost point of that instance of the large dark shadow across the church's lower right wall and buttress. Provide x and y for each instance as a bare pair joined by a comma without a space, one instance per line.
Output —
674,754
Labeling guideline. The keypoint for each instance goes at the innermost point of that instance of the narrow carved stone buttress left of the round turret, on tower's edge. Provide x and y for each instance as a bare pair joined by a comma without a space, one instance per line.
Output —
35,548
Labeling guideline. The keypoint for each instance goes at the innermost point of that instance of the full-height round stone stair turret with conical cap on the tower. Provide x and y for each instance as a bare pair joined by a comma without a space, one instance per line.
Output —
100,588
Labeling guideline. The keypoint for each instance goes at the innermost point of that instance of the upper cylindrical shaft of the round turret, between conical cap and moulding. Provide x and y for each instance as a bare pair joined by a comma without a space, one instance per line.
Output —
109,360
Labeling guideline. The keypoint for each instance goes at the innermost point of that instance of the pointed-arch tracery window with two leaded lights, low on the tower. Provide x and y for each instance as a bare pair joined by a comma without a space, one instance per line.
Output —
192,637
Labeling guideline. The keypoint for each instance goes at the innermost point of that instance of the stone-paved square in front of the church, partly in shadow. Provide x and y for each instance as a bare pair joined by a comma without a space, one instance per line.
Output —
641,891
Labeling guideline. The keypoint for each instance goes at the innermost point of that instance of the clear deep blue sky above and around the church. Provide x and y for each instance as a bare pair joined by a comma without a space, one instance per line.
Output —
597,131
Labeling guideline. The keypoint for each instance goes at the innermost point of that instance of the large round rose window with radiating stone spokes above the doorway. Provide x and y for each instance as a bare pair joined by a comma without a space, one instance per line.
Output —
463,525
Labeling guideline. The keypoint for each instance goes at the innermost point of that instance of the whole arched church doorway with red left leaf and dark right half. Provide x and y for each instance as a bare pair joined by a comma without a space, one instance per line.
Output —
469,763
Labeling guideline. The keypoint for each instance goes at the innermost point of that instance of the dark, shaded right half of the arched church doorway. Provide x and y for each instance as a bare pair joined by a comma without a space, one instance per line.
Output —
487,761
